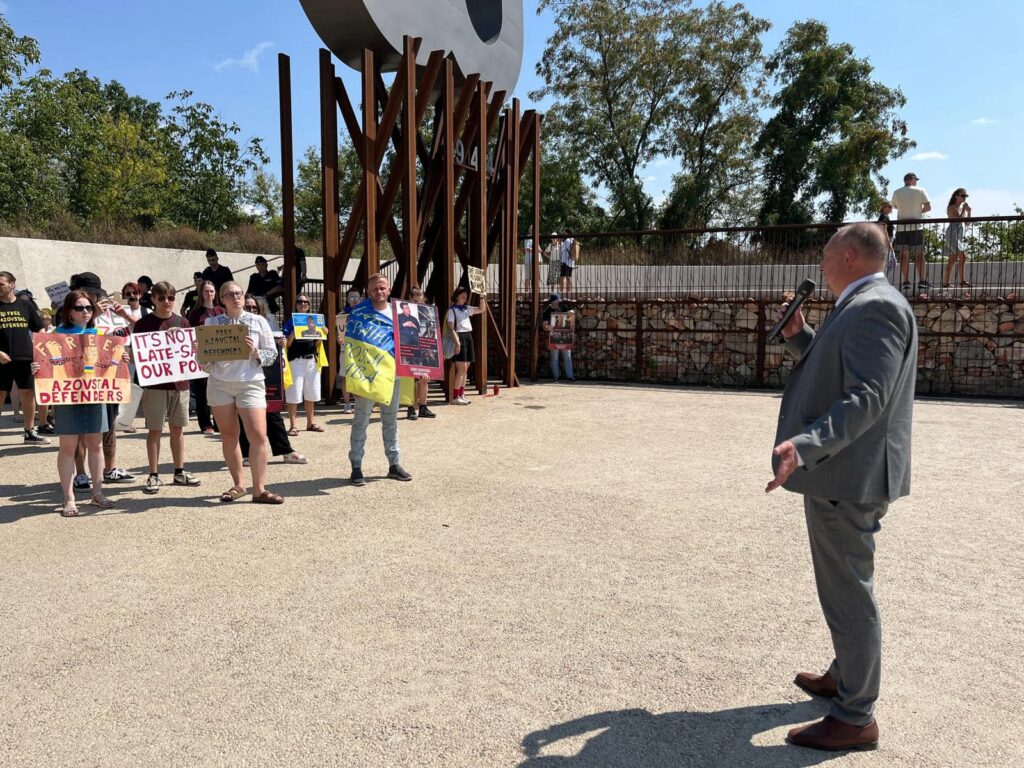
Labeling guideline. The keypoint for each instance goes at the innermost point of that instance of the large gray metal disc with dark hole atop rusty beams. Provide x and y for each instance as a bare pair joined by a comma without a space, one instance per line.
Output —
484,36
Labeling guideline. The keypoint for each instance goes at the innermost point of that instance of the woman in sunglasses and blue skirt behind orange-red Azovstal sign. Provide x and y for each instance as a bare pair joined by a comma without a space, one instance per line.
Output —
89,421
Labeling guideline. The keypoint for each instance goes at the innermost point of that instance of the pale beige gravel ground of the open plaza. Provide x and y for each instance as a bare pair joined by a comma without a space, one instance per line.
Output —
587,577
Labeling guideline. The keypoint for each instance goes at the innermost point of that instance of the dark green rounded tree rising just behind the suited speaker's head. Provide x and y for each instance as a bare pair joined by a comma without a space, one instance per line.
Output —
834,131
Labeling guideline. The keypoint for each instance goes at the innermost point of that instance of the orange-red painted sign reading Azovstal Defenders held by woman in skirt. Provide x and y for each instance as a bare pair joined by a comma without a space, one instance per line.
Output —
80,369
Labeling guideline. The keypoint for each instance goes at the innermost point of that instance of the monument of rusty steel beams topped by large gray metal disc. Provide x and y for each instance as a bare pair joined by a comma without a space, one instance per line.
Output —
459,188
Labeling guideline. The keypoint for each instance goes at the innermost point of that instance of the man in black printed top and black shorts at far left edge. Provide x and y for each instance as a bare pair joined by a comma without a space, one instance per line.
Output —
18,322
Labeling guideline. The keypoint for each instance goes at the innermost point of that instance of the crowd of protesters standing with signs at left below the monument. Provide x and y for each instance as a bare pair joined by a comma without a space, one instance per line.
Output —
231,402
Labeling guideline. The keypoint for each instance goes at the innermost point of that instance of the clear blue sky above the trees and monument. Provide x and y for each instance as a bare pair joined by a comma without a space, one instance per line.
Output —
959,65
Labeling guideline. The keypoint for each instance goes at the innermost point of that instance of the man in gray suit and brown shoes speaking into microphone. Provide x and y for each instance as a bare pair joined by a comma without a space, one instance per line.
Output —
844,443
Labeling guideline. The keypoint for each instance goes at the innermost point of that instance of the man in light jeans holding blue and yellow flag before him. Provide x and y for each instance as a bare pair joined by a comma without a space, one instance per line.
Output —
370,375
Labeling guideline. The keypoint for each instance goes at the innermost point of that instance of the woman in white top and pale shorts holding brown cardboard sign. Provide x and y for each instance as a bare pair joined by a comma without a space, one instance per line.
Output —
236,391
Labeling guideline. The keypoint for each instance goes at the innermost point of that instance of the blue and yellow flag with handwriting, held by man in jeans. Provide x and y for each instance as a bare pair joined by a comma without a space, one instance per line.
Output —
370,354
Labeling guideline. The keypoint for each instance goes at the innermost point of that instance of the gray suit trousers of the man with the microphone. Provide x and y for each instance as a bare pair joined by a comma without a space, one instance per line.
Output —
842,536
